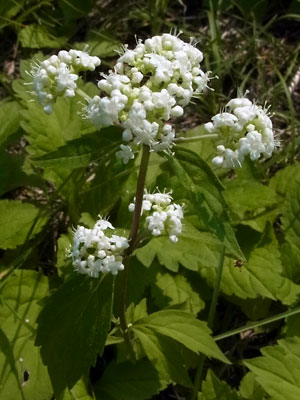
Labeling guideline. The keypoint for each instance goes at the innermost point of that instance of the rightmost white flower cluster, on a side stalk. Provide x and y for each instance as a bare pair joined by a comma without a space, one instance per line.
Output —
246,129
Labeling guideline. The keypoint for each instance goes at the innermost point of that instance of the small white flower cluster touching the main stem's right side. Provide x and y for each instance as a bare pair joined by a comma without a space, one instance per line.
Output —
165,217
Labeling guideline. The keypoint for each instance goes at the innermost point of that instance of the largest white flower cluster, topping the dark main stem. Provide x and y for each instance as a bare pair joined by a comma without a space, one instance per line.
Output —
149,85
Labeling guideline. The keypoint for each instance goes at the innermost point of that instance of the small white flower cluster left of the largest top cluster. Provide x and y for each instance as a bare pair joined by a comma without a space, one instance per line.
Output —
57,76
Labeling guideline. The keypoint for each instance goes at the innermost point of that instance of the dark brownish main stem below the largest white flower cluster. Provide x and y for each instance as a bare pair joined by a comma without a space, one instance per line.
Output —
132,237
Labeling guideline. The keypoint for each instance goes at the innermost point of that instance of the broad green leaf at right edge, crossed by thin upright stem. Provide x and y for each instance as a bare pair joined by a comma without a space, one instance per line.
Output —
262,276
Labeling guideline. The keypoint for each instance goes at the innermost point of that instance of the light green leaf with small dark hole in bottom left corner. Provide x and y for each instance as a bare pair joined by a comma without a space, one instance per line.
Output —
22,374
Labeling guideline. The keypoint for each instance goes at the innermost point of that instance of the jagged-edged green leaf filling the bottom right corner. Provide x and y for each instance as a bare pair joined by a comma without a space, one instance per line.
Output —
278,370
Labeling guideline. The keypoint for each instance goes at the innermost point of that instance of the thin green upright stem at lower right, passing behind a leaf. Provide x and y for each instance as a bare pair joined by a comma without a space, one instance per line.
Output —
210,322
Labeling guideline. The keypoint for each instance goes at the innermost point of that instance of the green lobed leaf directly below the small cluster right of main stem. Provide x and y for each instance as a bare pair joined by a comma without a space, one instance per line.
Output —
193,250
